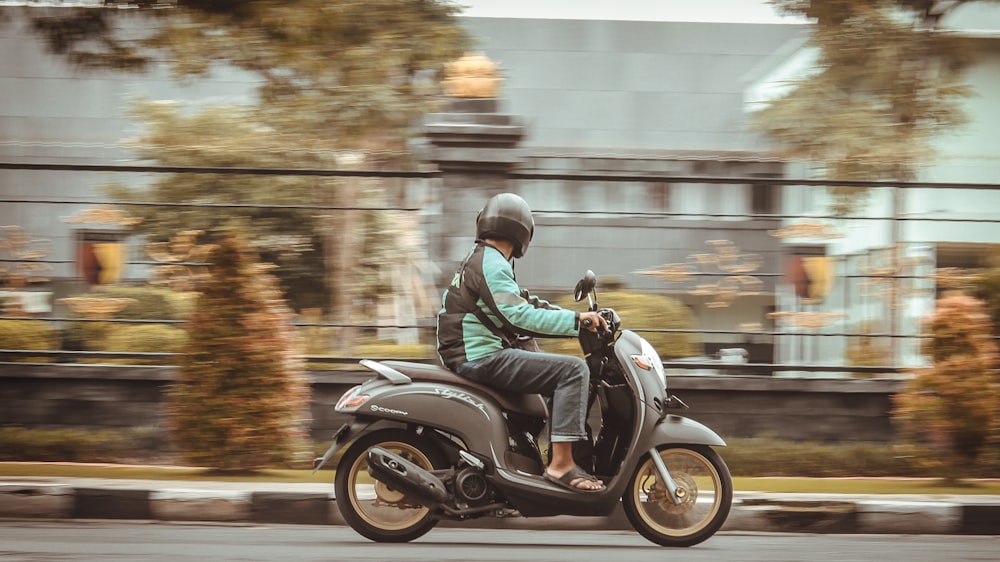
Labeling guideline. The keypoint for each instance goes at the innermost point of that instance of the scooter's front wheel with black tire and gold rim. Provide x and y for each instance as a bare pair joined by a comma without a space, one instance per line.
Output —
705,488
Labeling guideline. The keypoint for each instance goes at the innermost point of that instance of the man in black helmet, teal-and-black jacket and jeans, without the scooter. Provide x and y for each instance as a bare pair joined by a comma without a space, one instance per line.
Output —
484,312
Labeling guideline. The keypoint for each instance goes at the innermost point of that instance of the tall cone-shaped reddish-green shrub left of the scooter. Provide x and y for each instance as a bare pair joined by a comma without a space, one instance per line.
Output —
241,398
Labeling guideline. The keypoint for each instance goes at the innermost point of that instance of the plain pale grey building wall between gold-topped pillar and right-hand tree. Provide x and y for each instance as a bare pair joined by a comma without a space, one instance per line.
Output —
626,85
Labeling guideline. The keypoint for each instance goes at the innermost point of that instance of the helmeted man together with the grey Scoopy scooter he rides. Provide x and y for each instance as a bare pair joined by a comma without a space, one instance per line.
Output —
424,444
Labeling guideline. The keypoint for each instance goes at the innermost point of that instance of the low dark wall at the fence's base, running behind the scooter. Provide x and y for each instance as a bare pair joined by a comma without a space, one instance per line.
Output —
116,397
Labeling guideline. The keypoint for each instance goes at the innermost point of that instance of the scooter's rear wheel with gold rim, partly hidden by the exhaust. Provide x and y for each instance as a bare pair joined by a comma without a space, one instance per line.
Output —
372,508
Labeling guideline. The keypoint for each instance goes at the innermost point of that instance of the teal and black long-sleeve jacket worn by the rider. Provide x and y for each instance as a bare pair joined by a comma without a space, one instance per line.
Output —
486,281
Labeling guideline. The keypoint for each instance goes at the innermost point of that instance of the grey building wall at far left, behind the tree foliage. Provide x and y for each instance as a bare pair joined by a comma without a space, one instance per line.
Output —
51,112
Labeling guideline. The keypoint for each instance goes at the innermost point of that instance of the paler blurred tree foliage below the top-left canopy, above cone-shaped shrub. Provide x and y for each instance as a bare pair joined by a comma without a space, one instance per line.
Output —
289,237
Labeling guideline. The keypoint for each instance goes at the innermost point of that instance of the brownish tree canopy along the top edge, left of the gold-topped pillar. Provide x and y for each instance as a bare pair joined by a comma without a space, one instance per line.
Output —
340,73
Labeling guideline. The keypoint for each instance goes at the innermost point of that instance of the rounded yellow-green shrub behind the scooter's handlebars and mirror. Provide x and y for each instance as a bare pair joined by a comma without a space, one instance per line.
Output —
640,311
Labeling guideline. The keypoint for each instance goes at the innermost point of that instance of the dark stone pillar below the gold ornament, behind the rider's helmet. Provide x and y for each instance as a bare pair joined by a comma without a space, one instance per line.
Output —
475,147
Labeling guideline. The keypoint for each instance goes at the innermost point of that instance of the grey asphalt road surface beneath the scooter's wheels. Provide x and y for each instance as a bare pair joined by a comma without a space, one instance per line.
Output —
157,541
